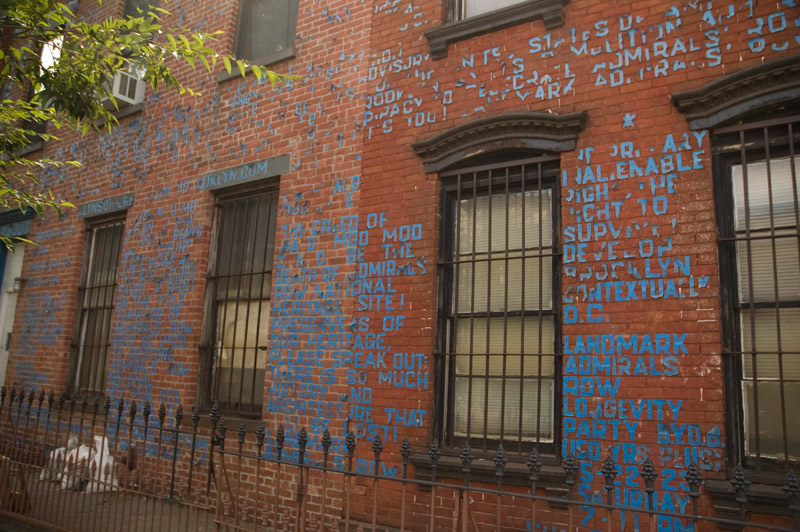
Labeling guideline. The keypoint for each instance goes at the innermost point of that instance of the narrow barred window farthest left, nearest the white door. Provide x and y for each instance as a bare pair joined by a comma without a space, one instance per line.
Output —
96,300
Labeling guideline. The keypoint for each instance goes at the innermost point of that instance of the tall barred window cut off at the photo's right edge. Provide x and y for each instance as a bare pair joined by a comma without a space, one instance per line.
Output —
758,173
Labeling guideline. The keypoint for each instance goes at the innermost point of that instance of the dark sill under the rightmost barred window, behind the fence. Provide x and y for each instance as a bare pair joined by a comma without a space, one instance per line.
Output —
761,498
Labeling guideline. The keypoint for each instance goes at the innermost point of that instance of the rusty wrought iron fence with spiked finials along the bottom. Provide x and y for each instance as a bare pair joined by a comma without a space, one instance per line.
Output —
78,466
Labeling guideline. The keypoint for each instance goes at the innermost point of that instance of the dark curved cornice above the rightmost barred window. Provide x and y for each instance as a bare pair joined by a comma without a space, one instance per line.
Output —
752,89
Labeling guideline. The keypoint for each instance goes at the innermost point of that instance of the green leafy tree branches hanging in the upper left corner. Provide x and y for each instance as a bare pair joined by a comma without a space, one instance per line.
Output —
56,69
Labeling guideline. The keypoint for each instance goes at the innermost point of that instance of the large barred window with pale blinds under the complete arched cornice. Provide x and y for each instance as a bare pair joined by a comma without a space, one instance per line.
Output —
498,325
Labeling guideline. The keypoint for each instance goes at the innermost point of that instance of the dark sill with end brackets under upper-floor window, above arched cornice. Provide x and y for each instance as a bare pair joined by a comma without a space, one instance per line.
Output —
551,11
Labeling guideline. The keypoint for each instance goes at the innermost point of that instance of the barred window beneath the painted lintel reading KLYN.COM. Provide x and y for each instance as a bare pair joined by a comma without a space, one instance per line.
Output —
240,287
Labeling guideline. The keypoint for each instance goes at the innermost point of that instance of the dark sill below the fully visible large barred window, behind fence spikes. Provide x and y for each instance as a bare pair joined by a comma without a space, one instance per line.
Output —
551,477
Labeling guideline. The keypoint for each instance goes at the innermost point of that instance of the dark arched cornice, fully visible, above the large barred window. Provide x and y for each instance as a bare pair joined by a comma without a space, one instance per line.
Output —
544,132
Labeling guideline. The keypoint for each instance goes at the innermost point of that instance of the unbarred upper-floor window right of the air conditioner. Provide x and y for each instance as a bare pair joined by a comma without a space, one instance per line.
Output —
266,30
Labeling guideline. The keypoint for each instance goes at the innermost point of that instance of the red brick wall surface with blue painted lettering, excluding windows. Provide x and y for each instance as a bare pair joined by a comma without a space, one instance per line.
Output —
370,89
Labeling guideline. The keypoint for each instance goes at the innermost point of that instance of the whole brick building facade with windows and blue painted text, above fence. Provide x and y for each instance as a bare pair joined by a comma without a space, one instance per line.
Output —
569,226
